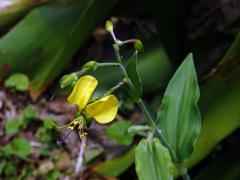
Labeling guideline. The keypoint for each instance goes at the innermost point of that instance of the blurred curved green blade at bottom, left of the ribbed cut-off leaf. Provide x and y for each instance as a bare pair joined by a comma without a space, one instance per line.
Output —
117,166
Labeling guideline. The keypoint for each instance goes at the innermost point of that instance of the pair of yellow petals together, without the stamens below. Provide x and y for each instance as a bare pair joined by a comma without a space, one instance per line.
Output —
103,110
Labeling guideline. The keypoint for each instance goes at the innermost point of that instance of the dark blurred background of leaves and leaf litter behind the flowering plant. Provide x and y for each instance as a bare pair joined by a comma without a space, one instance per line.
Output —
42,40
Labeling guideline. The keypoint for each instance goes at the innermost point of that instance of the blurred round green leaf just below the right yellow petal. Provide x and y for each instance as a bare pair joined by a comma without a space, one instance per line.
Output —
118,131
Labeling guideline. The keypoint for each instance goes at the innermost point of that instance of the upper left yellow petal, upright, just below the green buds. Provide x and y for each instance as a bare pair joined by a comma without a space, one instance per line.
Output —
82,91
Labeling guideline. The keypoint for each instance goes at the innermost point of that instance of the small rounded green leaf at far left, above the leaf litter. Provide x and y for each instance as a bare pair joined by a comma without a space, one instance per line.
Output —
18,81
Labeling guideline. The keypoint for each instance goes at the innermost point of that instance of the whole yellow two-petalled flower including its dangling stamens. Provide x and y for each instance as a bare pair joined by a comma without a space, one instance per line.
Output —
103,110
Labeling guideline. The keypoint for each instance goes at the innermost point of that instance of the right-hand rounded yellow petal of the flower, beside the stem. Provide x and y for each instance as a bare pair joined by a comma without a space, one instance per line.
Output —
104,110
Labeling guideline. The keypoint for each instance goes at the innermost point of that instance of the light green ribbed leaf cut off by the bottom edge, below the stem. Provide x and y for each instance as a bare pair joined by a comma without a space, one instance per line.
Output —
153,161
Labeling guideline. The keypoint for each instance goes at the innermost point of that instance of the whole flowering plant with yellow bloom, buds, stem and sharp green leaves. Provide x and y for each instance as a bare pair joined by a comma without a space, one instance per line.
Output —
177,125
